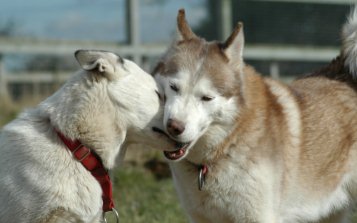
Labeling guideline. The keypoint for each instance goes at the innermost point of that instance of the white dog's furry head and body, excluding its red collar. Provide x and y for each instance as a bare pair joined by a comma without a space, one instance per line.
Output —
108,105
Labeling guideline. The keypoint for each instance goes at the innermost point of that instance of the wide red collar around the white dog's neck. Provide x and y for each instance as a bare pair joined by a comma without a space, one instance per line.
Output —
94,165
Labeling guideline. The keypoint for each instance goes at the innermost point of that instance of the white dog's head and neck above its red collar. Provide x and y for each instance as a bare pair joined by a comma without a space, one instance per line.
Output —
110,104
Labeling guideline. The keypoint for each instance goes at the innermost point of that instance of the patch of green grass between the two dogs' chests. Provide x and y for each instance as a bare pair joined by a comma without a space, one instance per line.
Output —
140,197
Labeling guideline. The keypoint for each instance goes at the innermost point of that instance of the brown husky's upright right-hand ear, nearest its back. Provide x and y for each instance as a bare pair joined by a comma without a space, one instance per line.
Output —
233,46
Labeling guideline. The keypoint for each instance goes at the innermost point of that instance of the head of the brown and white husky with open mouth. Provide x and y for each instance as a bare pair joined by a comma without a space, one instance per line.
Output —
200,82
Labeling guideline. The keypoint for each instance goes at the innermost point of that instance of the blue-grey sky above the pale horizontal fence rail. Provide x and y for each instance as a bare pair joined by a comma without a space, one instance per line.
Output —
99,20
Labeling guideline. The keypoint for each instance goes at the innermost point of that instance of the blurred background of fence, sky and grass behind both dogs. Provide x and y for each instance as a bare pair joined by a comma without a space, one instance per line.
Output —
284,39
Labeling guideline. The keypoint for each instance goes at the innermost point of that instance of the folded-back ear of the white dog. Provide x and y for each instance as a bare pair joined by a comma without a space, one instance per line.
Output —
99,61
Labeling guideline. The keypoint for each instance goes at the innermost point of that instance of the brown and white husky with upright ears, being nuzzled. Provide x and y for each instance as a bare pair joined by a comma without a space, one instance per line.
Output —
274,152
